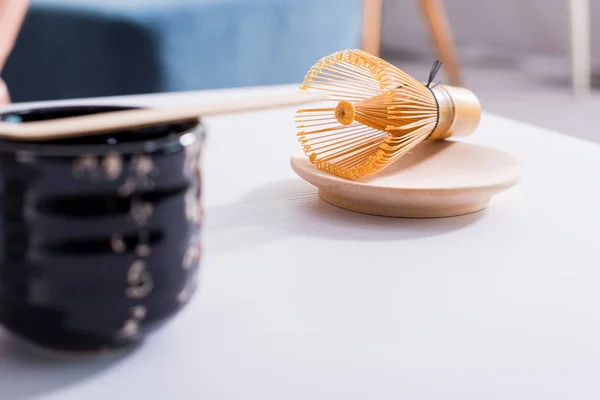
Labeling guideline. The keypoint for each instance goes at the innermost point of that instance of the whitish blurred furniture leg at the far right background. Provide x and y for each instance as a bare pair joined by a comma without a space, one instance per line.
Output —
579,11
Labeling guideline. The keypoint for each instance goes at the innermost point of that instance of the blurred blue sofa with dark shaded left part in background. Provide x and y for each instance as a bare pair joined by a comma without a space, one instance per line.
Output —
72,48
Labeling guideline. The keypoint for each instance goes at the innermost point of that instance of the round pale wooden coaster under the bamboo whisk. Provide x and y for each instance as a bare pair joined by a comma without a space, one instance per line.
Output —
437,179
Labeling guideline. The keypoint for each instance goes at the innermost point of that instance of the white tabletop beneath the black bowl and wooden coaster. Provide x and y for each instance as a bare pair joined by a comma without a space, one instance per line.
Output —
301,300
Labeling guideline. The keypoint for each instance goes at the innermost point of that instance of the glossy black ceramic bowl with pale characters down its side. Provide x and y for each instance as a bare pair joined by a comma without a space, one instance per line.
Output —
99,236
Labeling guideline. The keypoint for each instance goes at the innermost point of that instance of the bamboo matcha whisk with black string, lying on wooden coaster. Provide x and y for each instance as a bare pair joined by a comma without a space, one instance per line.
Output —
376,114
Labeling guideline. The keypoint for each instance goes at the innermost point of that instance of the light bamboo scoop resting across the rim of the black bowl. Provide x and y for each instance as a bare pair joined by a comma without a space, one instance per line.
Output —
117,120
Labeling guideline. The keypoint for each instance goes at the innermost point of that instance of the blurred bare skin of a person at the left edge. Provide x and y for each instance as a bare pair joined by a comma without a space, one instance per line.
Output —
12,13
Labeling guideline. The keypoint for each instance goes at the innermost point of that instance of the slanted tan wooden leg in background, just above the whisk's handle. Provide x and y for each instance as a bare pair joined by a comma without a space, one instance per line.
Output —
441,33
